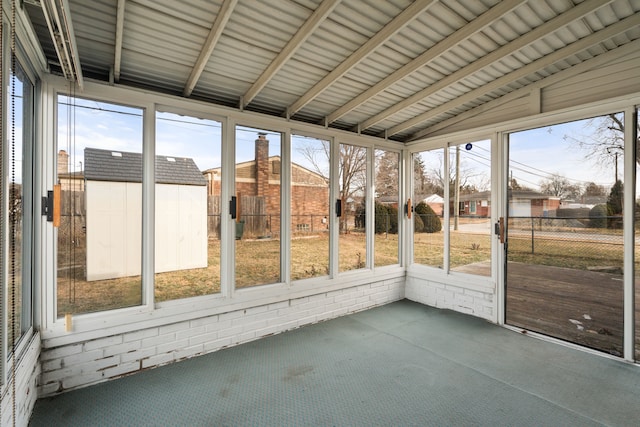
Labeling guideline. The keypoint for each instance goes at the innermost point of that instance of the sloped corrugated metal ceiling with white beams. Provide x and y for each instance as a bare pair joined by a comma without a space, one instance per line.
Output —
388,68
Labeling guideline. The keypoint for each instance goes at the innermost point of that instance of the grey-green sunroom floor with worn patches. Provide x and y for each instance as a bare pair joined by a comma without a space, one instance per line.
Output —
400,364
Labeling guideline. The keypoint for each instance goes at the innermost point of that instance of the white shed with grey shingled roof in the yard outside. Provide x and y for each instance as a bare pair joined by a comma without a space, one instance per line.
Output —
113,194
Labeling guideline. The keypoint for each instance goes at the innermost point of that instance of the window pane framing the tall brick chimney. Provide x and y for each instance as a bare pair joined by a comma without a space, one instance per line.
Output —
257,191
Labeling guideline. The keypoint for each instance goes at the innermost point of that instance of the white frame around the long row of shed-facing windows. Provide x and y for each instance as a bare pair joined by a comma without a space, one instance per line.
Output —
92,325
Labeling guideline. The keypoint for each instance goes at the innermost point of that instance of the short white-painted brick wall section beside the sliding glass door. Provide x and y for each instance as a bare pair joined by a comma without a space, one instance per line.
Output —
477,302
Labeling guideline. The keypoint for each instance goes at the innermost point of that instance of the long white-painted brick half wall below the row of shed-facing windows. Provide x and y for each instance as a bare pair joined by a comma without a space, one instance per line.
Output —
82,364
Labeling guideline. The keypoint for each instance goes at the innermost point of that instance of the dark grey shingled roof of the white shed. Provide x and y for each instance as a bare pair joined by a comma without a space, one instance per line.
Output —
123,166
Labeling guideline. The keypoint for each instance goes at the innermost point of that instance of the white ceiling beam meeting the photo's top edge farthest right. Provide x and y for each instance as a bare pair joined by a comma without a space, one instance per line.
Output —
537,33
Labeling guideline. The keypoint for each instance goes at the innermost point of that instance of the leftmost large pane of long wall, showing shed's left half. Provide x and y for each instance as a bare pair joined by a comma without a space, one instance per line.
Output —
99,239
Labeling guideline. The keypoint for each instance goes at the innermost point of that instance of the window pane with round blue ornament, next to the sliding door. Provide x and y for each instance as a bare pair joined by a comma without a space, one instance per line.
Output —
470,208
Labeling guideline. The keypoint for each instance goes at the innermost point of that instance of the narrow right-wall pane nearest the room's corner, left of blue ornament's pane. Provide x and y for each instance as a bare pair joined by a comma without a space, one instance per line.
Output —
428,199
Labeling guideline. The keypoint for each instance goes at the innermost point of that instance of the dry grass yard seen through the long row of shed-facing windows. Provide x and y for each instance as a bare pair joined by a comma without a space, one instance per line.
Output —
258,264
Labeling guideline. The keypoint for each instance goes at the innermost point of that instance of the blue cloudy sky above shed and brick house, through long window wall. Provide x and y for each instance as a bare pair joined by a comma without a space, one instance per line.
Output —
119,128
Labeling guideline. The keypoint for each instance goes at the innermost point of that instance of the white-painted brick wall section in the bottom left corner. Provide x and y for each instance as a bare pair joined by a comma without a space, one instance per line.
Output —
26,375
